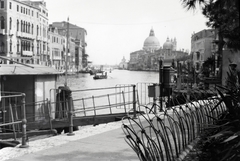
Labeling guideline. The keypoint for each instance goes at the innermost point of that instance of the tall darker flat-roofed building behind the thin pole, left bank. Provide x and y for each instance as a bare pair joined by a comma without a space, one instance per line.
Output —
78,56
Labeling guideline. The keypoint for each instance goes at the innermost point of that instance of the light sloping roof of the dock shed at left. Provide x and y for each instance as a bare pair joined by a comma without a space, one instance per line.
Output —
31,69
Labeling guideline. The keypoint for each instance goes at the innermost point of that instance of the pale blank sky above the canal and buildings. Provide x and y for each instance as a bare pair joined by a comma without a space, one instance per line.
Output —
115,28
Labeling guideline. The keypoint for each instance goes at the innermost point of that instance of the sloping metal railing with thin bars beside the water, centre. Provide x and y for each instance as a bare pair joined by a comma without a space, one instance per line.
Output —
107,103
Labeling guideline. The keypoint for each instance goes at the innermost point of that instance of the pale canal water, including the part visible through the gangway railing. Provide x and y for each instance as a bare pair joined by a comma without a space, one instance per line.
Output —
100,98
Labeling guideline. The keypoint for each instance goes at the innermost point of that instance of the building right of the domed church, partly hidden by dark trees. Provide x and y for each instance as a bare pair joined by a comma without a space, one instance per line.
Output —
202,47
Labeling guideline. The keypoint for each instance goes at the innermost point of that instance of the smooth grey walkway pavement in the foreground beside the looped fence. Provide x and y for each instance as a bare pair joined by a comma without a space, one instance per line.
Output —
107,146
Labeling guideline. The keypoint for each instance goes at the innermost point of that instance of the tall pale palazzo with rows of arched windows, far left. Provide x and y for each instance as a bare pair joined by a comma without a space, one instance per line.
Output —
20,30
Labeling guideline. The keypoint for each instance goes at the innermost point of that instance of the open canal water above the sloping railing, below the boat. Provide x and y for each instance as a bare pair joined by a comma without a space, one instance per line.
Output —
83,81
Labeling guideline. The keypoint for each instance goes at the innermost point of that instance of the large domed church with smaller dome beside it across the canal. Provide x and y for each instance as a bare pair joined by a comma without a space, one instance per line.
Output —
148,58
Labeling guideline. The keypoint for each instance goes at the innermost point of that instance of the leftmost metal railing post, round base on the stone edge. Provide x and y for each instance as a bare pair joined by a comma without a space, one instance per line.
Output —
24,123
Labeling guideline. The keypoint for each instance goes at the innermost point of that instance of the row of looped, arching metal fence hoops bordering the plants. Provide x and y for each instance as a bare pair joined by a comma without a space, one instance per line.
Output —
164,136
